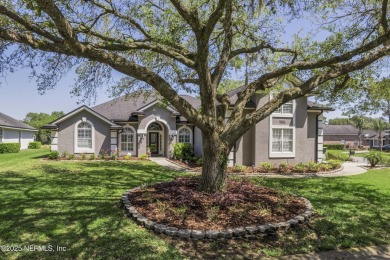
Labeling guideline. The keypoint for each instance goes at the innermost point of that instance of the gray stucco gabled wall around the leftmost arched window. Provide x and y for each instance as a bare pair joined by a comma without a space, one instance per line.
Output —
66,133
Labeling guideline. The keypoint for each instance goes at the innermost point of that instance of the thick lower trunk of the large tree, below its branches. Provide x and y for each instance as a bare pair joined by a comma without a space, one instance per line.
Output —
215,158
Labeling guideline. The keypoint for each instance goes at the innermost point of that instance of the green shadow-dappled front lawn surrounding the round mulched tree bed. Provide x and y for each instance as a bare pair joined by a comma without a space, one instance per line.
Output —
75,205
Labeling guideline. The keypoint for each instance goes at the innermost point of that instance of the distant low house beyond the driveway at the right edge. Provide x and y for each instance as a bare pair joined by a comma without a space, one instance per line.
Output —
348,135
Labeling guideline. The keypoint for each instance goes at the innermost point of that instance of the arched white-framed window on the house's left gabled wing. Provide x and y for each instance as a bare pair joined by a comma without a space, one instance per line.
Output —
84,137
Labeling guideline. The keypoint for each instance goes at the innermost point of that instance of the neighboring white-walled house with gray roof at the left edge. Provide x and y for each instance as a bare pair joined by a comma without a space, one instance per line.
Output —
14,131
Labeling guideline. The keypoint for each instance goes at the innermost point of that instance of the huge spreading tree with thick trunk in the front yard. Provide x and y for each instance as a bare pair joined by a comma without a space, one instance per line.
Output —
192,45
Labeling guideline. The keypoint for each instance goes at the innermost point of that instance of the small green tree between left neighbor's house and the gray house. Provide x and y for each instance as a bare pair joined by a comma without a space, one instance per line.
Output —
38,120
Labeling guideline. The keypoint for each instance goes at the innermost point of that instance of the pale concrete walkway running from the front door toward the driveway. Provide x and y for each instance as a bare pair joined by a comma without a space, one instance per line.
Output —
349,169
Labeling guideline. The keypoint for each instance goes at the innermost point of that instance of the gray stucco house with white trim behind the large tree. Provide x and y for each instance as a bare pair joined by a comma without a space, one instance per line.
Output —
293,133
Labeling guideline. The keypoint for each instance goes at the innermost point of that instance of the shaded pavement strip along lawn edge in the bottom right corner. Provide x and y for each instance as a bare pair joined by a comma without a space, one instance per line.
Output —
371,252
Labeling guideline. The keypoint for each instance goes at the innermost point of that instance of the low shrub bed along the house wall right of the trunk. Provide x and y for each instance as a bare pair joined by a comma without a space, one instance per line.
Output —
286,168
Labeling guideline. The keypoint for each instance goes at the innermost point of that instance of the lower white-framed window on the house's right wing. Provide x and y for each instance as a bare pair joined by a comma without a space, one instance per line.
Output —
282,140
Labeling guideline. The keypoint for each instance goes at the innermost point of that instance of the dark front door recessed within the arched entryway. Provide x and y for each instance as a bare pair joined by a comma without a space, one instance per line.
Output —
156,138
